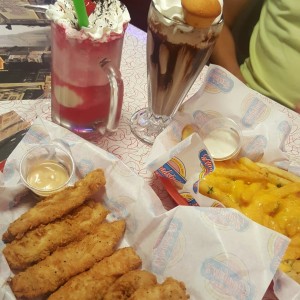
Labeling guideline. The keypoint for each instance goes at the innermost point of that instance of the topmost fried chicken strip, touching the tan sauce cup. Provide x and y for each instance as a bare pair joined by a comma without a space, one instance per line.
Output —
55,206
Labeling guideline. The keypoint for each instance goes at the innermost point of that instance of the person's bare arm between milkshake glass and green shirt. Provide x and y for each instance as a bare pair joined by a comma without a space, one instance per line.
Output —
224,53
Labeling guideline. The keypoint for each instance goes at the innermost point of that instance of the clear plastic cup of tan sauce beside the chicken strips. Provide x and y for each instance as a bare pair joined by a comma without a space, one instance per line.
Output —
46,169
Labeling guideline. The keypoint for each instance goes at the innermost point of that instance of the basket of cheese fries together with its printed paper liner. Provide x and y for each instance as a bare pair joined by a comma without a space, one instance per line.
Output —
262,179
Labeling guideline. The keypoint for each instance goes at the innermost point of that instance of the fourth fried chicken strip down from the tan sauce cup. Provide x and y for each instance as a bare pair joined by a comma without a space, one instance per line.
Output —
94,283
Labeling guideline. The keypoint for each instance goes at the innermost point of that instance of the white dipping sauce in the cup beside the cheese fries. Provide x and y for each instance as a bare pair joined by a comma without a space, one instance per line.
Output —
222,143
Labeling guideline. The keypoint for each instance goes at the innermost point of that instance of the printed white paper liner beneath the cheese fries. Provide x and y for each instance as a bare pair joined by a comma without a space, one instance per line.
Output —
269,134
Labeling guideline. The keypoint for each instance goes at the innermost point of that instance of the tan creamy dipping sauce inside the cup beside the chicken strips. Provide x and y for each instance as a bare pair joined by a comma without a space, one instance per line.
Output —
47,176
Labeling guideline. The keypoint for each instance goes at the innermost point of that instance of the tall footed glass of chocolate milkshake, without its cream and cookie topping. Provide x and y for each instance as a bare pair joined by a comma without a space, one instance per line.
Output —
176,54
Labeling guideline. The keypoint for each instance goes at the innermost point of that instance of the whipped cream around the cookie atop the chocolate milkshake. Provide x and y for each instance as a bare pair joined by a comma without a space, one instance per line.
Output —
173,9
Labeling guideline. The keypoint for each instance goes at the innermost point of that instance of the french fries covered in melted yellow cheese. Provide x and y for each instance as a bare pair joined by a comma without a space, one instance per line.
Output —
266,194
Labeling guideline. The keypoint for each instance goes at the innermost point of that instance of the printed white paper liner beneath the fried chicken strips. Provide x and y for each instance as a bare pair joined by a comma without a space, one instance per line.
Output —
216,252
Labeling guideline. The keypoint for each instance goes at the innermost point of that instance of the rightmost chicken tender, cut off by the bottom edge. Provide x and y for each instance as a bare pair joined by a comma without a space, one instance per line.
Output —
170,289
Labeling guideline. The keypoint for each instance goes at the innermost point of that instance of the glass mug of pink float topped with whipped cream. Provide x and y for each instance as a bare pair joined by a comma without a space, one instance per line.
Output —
86,83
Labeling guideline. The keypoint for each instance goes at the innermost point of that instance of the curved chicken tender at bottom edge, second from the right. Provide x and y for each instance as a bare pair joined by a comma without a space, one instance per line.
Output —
127,284
